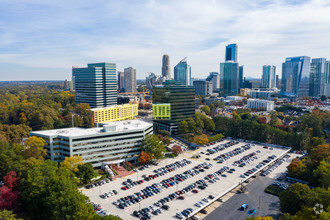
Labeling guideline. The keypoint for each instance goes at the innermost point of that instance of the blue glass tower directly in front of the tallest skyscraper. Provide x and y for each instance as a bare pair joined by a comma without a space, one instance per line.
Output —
229,78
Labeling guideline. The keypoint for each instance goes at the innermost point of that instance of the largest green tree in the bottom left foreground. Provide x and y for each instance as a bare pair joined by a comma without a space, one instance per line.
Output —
51,192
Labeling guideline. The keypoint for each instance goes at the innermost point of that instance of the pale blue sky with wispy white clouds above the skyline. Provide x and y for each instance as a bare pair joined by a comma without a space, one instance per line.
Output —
42,40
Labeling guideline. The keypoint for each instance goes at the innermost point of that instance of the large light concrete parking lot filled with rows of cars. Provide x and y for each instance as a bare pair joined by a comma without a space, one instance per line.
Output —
219,176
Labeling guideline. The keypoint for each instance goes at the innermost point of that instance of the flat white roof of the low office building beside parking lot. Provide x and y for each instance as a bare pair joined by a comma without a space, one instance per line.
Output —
78,132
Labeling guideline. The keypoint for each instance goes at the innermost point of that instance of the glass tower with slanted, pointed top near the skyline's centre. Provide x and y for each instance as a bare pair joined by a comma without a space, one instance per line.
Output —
182,72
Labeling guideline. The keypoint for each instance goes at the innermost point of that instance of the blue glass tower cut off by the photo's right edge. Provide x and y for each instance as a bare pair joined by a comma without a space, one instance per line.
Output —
319,78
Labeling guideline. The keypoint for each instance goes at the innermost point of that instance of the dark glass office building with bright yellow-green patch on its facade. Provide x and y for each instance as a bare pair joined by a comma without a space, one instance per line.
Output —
180,100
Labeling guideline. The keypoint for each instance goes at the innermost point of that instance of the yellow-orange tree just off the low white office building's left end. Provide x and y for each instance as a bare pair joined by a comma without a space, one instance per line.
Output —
34,147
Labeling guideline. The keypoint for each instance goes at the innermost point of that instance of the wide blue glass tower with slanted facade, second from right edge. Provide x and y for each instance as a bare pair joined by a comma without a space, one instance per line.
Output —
295,76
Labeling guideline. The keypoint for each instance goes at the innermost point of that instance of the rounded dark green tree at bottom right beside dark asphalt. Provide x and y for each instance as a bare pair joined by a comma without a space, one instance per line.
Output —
294,198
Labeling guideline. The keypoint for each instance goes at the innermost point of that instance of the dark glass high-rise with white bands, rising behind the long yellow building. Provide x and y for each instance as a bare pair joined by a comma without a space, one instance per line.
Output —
96,84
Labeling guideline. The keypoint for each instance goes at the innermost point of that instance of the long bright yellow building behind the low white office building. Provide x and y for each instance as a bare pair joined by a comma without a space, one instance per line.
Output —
115,113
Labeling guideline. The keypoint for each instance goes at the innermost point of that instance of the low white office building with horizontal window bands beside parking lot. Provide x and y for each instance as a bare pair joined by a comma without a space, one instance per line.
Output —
114,142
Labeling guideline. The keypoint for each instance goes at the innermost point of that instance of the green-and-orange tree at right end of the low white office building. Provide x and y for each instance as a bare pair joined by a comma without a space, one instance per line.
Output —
153,146
